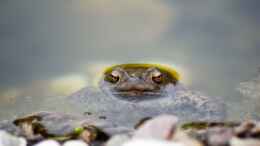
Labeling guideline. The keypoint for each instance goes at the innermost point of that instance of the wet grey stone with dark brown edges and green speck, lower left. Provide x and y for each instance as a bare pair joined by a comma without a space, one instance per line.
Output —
60,127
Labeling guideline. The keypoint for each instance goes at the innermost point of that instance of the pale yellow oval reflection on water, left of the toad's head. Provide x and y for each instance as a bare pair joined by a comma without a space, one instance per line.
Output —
68,84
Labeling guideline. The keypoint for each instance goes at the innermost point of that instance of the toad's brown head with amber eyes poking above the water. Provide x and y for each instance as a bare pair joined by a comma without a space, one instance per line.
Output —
137,82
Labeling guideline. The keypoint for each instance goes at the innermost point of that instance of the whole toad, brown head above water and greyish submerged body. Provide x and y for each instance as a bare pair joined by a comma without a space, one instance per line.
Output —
130,92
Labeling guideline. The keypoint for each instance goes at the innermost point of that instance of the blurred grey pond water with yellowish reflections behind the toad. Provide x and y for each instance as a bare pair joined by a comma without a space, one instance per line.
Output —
52,48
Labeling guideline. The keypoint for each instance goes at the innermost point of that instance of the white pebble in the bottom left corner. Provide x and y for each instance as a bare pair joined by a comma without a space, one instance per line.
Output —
8,140
